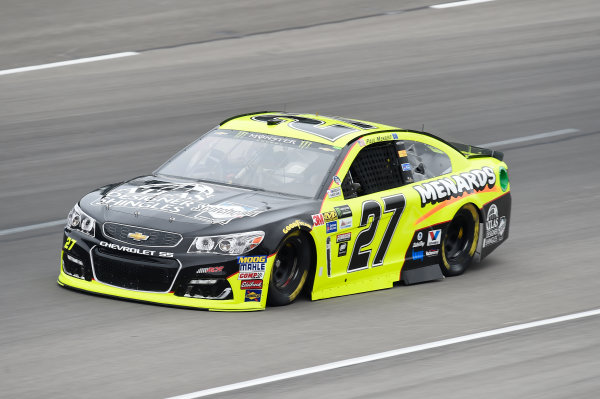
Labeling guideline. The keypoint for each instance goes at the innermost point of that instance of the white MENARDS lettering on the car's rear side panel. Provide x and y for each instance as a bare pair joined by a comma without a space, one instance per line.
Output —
445,188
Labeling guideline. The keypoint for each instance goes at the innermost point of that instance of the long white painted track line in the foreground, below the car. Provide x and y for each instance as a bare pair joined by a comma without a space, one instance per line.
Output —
385,355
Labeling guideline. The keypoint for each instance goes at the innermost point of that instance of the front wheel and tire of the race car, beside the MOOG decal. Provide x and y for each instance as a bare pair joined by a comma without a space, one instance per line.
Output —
290,270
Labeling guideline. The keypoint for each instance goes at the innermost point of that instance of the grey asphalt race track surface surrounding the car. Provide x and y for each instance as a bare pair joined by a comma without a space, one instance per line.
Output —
477,74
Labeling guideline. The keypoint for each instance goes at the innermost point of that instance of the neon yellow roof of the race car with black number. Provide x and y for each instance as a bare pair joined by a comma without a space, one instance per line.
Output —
336,131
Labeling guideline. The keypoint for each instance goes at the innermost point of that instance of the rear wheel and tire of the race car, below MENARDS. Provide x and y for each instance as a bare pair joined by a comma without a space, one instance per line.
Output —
460,241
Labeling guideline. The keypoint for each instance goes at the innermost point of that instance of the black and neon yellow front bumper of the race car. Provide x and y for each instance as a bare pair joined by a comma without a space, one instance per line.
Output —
85,275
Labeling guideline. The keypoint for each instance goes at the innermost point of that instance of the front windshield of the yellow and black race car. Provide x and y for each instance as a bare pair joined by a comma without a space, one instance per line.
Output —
254,160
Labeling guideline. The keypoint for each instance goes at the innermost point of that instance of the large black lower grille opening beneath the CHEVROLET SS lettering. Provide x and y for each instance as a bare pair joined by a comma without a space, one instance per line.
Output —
134,272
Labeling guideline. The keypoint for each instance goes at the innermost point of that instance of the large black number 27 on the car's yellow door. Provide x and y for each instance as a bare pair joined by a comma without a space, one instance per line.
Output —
371,209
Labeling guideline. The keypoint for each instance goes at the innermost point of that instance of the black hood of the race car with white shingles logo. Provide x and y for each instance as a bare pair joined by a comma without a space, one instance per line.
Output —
187,206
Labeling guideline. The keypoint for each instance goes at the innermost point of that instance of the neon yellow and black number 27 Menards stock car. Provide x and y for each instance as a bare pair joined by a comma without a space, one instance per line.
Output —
269,204
